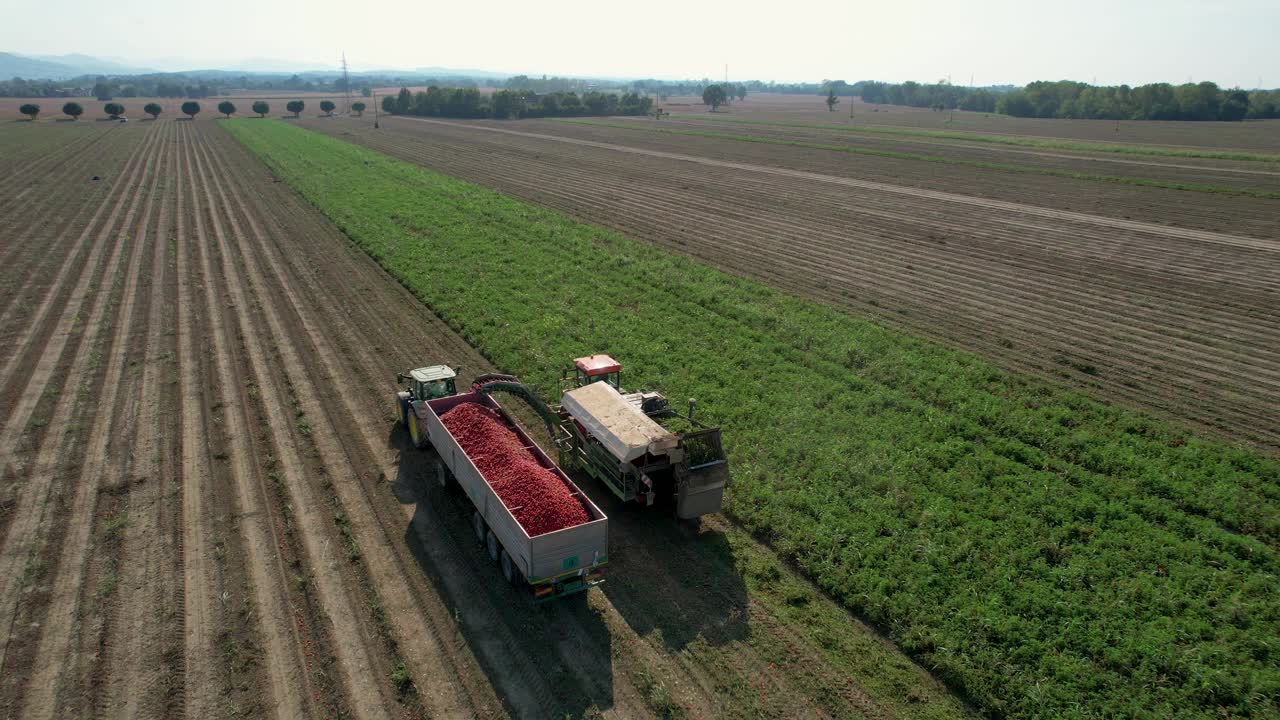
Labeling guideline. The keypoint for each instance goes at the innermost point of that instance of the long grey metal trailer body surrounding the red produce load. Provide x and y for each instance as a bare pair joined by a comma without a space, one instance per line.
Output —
554,564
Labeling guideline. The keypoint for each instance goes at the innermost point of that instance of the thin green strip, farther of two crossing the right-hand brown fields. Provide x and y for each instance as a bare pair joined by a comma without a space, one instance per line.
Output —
1023,142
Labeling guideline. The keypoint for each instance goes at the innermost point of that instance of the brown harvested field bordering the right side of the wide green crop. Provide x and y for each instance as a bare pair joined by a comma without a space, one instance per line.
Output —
1180,321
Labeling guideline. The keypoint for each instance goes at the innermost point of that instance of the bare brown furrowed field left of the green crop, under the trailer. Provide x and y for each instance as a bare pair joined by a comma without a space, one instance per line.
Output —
205,508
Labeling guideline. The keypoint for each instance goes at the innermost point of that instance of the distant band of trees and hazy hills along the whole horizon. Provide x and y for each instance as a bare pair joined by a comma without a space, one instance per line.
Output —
552,97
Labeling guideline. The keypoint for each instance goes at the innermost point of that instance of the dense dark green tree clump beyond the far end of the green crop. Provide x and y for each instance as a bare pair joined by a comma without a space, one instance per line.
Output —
513,104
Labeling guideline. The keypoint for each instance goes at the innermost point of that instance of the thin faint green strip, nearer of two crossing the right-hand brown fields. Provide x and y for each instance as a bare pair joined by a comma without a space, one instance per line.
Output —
921,157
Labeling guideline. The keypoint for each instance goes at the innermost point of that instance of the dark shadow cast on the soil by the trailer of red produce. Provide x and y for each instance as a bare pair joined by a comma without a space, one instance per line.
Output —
551,660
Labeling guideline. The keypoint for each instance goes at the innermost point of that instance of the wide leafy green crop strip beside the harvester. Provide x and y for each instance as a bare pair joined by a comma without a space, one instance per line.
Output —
1043,553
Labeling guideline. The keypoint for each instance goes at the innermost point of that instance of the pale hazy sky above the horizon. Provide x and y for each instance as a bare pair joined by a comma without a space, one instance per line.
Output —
993,43
